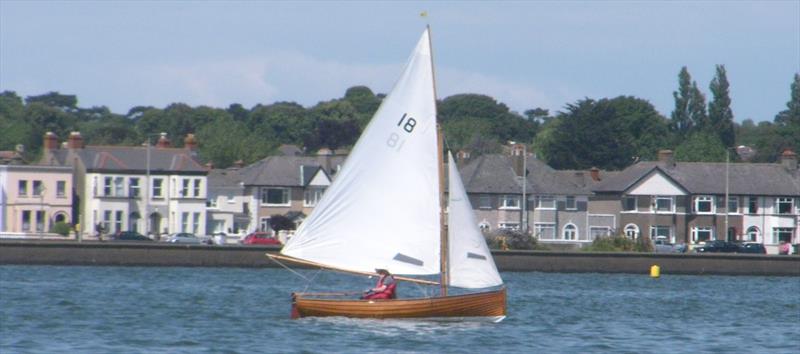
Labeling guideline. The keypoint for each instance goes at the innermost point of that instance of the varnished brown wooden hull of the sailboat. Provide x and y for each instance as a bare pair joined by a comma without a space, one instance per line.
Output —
487,304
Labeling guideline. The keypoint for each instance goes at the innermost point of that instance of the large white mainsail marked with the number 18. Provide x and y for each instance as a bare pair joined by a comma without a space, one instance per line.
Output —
382,210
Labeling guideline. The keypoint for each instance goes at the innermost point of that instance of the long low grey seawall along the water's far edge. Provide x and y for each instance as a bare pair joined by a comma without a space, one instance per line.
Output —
29,252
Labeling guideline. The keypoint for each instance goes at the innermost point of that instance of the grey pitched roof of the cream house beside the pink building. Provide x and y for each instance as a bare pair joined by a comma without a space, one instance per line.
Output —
131,159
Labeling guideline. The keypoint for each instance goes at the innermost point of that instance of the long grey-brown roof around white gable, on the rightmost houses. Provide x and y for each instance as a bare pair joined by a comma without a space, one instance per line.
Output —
709,178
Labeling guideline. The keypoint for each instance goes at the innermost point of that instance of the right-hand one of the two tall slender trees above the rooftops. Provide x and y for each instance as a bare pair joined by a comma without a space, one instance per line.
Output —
720,115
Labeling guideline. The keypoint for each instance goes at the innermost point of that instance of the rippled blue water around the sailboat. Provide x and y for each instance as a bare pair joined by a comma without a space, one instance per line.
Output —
46,309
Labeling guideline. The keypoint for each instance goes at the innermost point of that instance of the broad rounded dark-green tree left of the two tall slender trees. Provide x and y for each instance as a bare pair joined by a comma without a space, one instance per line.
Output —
609,134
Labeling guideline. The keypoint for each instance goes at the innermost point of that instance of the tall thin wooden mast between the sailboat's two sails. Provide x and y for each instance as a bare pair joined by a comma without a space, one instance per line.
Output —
443,246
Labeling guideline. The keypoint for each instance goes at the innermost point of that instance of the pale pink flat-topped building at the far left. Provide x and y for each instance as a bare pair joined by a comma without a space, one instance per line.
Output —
33,198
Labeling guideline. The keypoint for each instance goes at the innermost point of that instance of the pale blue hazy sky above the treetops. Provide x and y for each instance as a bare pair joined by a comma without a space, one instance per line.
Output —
547,54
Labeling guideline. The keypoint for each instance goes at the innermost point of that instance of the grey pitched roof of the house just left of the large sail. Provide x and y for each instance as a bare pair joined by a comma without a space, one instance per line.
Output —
288,171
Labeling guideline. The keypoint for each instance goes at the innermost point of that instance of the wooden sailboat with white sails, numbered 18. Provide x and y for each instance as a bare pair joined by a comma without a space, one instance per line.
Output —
386,210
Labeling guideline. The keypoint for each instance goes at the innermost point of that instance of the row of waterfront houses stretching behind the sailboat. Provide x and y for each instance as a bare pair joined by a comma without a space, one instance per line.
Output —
160,189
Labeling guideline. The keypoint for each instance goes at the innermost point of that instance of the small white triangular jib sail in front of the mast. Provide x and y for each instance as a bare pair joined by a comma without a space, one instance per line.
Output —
471,262
